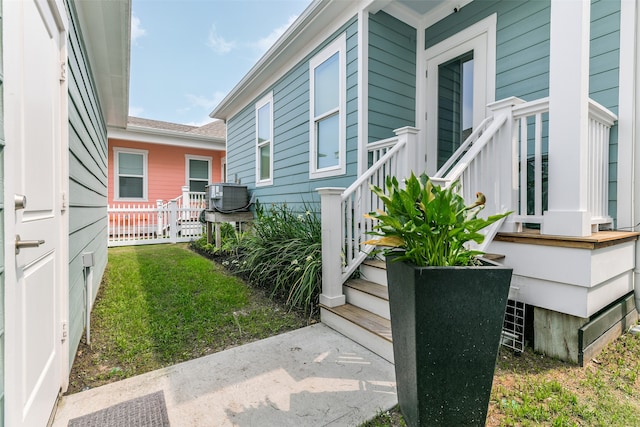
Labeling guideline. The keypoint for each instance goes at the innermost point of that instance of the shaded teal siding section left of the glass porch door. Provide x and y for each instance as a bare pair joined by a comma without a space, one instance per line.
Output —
392,76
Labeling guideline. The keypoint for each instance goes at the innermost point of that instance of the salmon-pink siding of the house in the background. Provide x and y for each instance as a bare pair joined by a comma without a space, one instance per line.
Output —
166,168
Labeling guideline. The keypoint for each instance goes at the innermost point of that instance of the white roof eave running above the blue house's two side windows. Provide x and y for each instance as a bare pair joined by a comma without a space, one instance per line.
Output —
321,19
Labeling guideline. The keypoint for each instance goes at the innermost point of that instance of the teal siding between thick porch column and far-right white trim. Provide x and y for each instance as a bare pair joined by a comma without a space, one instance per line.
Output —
604,76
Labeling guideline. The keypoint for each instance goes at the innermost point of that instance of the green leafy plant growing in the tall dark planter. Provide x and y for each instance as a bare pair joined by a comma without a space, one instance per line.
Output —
428,225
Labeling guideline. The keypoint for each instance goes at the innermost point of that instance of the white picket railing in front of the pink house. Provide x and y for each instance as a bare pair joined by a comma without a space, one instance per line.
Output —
147,223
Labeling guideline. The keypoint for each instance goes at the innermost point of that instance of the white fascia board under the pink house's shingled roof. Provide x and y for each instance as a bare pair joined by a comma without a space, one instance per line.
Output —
165,137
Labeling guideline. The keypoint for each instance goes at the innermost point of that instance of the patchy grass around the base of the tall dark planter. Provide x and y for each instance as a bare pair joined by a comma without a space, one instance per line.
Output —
535,390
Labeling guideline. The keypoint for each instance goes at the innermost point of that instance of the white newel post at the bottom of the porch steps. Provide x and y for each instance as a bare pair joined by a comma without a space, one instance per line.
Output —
330,210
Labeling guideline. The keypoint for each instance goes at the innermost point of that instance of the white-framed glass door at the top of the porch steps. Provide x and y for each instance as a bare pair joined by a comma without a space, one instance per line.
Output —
460,84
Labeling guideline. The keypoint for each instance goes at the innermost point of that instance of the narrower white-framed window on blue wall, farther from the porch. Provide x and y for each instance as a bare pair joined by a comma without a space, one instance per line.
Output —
264,141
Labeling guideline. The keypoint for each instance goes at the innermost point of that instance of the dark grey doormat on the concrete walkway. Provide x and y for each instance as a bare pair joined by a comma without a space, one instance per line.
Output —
145,411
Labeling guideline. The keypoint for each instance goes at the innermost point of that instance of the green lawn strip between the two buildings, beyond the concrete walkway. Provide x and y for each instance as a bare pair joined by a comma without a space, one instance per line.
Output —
163,304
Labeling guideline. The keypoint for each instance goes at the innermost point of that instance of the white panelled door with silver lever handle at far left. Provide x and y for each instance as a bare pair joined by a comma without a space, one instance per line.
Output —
35,126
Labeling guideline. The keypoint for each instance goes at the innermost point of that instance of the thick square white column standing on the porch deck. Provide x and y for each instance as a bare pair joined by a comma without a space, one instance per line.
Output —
568,119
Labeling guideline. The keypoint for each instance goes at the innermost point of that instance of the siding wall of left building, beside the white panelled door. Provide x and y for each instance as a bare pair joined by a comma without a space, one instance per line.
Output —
87,180
